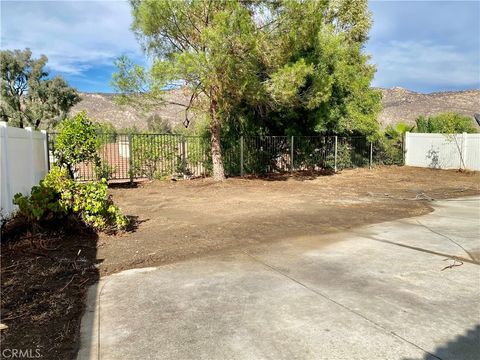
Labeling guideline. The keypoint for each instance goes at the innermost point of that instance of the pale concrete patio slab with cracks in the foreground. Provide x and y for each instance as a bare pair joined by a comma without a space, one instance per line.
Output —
378,292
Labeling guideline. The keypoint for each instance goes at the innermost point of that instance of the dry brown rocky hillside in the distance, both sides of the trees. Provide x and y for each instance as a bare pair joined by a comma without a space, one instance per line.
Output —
398,104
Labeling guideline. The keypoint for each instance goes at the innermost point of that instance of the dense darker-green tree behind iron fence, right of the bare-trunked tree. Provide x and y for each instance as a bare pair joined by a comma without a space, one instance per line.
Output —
333,93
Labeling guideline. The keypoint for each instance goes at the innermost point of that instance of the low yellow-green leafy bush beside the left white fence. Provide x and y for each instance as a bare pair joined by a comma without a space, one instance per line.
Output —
58,195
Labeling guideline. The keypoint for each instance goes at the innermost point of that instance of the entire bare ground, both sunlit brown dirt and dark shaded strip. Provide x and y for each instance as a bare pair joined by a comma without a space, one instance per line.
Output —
44,280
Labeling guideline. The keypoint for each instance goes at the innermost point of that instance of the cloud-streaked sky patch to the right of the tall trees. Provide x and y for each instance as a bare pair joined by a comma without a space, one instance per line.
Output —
426,45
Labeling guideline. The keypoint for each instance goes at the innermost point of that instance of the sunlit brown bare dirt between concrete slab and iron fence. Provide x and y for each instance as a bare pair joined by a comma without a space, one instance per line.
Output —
183,219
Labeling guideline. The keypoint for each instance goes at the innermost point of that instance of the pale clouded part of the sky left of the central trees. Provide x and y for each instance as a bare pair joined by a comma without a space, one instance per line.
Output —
75,35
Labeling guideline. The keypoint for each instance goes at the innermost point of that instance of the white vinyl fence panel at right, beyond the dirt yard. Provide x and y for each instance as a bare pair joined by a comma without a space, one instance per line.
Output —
443,151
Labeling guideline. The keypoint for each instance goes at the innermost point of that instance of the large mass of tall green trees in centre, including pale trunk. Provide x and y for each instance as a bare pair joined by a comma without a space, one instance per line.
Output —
293,67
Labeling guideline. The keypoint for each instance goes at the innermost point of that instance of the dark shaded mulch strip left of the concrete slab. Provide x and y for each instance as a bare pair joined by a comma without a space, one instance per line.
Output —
44,280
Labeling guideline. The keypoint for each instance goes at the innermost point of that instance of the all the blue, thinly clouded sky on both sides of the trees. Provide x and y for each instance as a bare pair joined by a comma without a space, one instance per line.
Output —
423,46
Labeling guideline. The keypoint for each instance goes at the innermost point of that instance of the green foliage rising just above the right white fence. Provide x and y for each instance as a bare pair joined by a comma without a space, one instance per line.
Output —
446,123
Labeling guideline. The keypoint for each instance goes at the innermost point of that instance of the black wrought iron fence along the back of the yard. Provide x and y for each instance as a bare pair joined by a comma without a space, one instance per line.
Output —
158,156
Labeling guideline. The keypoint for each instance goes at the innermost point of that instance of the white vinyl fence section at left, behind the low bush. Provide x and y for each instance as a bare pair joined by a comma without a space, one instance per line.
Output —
24,162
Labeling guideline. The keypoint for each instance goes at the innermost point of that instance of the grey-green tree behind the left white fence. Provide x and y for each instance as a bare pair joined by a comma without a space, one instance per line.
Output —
28,96
